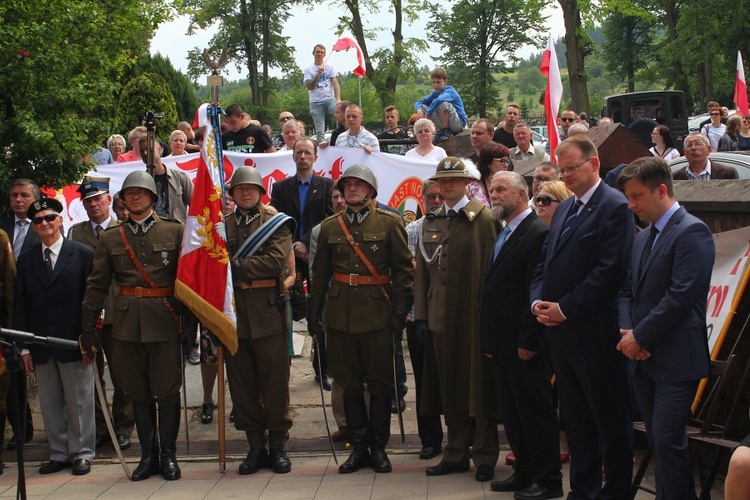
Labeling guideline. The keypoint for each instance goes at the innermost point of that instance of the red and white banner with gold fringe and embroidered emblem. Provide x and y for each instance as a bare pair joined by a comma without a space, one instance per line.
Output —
204,273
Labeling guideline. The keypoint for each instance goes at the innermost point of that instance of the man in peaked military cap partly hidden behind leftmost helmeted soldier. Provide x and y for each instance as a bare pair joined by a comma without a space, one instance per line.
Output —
96,200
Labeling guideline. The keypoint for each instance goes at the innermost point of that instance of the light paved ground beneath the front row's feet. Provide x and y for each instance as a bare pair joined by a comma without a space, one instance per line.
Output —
314,472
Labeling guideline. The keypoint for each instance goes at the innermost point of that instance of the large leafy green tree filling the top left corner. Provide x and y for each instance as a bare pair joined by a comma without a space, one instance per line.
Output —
61,61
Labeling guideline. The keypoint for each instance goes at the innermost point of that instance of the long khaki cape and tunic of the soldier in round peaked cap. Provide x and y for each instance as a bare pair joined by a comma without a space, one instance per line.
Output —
446,295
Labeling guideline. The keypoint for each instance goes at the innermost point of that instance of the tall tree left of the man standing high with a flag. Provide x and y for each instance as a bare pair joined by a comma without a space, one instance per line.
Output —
250,32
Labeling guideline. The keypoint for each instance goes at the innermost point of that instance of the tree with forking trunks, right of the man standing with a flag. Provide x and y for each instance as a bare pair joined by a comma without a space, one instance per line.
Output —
393,63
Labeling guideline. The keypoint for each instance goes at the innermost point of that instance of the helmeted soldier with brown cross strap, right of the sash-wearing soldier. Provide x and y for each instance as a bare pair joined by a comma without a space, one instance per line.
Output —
364,310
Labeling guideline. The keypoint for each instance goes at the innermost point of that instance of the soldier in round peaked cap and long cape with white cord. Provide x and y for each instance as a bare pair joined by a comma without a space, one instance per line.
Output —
454,250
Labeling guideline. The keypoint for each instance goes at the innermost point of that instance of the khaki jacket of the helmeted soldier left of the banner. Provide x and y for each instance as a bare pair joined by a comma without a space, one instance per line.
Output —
145,319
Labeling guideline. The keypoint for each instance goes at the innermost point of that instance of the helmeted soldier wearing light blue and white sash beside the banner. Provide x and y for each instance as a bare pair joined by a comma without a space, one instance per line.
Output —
259,372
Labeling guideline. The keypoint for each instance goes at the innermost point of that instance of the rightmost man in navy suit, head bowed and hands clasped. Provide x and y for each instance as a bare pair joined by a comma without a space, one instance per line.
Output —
663,318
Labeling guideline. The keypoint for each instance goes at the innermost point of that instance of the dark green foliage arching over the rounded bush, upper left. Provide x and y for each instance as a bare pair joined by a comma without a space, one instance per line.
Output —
179,85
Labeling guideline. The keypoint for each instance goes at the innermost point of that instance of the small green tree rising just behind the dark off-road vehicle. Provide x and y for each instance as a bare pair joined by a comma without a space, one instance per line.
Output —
629,43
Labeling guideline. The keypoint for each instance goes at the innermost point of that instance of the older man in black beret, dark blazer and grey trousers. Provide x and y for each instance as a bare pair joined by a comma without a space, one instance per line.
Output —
50,286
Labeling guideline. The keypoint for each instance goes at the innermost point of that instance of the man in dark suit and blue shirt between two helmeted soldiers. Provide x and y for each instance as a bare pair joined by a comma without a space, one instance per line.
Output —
306,198
